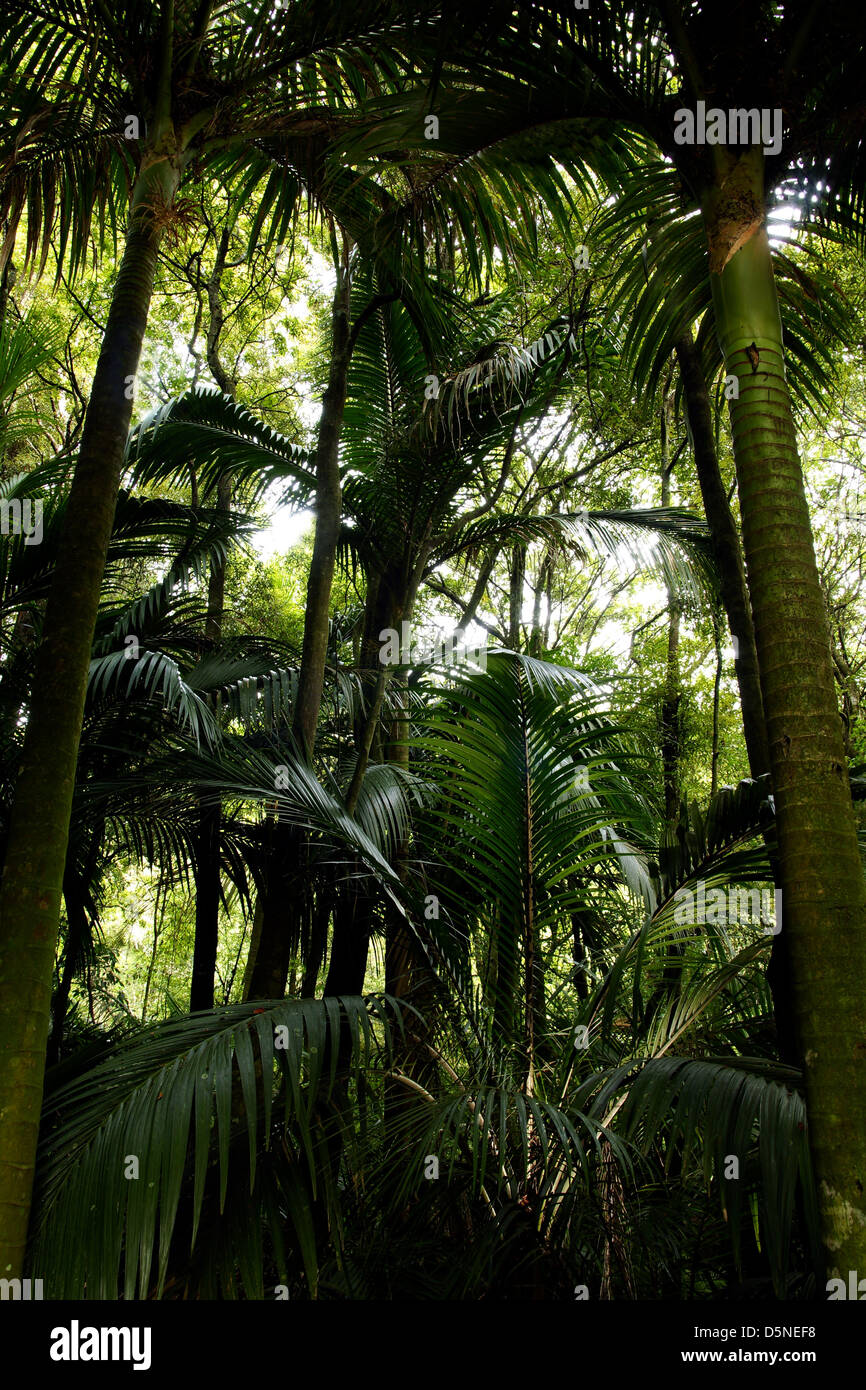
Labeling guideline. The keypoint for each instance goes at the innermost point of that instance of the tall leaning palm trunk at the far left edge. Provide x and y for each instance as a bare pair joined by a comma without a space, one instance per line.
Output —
33,879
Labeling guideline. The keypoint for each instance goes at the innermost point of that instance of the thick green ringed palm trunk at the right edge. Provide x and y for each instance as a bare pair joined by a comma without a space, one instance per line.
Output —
821,874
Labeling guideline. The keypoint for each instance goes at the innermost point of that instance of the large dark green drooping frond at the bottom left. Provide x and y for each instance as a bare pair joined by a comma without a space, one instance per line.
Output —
162,1117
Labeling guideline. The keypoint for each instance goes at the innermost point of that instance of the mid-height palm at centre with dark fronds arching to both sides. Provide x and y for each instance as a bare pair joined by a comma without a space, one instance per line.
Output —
408,472
